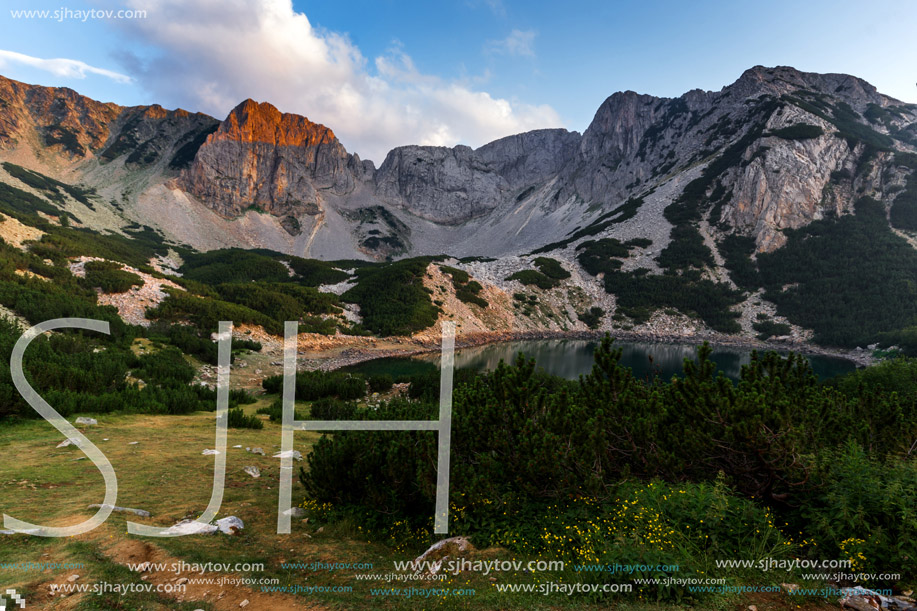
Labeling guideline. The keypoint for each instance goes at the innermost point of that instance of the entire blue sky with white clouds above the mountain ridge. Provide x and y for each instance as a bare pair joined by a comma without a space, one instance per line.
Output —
385,73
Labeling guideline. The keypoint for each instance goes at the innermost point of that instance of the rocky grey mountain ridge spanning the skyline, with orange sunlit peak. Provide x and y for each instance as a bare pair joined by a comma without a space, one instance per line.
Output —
512,195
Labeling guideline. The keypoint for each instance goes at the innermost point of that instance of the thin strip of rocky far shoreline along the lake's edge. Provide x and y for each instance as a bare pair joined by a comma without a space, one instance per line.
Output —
356,355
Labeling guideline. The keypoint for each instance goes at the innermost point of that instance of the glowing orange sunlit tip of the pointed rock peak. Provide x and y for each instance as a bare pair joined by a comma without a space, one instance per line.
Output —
253,121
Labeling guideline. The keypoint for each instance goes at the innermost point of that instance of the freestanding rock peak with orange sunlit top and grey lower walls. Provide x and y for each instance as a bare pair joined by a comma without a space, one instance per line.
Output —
280,163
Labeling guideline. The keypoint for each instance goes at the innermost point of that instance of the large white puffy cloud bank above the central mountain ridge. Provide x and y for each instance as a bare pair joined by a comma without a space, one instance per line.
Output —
212,54
